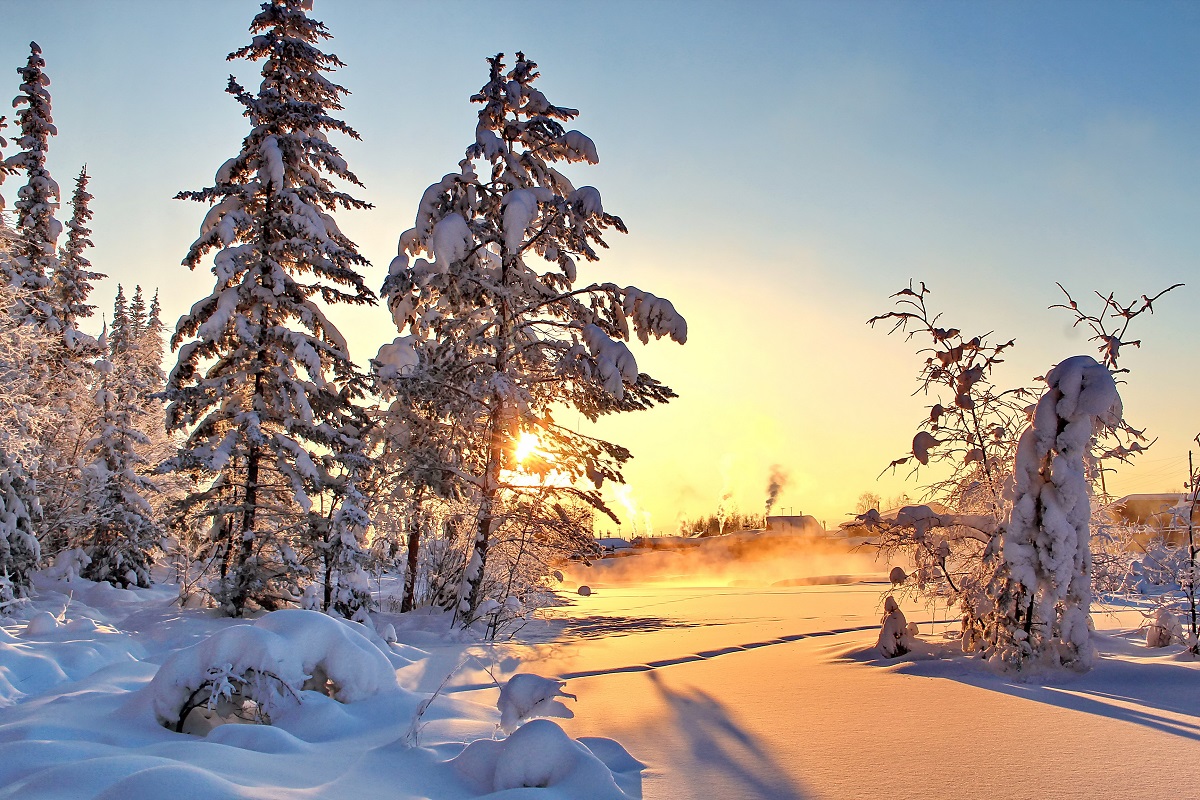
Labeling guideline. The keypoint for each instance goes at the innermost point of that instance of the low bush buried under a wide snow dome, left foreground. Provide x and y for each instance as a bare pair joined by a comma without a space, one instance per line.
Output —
262,666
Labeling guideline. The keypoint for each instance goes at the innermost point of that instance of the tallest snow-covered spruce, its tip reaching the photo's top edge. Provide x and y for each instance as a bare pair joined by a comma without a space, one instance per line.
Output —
265,387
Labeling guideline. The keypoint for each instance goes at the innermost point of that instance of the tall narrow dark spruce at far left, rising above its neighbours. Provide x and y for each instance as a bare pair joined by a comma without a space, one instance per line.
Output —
38,230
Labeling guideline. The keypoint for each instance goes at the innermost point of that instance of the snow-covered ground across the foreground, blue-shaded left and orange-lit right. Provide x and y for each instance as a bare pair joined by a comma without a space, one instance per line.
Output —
753,678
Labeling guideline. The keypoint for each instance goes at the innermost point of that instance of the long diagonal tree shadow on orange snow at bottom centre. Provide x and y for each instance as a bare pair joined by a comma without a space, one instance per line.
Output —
722,751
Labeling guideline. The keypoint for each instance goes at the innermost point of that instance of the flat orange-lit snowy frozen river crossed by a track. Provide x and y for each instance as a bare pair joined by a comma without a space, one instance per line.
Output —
773,693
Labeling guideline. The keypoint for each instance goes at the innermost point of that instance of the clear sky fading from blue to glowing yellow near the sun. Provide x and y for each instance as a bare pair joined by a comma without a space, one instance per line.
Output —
783,170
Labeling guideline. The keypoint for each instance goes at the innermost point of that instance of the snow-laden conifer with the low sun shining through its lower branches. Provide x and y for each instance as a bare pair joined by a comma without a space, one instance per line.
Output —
496,324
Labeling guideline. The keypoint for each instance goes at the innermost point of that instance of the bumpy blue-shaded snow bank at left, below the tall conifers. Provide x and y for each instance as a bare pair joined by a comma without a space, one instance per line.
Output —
92,708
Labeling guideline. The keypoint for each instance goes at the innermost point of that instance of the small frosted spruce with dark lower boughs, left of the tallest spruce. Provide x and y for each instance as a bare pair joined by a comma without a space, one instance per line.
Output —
122,533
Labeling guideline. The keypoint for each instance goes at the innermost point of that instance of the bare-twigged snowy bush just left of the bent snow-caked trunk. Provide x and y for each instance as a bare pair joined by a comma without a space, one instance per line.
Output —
968,441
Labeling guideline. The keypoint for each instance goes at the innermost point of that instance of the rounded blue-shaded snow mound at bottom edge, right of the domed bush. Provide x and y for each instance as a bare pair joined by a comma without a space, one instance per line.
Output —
541,755
